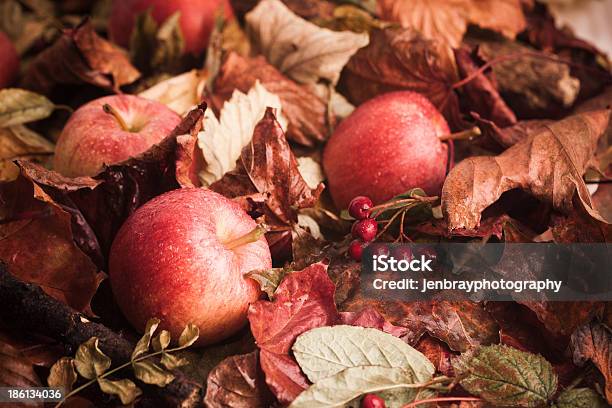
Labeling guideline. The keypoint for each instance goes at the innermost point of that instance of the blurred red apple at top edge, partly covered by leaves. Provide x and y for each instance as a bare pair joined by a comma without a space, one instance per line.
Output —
197,18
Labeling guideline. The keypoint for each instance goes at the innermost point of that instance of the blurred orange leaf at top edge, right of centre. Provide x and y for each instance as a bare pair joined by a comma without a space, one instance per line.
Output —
448,20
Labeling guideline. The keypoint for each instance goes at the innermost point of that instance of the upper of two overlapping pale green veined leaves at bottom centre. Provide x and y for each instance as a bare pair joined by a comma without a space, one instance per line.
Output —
326,351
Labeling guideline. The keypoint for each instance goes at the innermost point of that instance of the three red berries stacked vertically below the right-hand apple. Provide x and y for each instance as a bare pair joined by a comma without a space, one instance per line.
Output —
364,229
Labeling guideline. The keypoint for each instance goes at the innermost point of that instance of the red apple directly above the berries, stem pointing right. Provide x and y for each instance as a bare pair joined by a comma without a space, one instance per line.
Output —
387,146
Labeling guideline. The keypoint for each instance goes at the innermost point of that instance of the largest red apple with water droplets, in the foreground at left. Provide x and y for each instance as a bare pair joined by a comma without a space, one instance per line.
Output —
182,257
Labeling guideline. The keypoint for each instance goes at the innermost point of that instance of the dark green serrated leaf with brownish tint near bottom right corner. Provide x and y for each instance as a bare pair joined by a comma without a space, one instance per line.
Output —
506,376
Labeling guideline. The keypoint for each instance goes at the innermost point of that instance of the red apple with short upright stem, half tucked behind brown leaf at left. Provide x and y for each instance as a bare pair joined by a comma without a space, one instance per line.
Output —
109,130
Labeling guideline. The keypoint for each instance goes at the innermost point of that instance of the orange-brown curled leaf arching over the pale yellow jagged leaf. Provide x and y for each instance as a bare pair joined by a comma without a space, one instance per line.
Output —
306,112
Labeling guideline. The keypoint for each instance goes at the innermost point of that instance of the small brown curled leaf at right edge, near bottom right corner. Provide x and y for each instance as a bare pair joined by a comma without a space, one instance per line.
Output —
593,342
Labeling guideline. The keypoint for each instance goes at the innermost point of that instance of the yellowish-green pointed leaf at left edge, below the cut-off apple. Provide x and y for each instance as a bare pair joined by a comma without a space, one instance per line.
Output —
18,106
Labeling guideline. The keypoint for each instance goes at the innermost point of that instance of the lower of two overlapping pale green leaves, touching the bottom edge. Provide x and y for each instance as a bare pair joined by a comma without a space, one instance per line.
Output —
344,387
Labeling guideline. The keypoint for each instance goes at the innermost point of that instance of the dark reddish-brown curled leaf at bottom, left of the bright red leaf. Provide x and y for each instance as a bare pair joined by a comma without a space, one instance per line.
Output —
237,381
